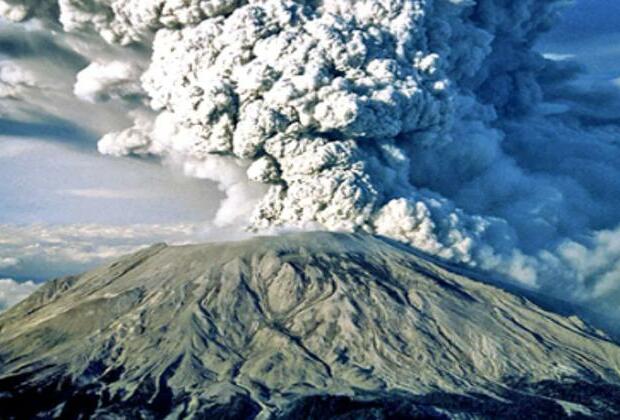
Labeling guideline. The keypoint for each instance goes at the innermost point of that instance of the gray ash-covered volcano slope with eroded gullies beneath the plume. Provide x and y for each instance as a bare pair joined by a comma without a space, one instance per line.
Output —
313,325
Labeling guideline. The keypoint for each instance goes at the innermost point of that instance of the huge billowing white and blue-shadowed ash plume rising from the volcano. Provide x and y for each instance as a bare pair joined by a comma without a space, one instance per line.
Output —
433,122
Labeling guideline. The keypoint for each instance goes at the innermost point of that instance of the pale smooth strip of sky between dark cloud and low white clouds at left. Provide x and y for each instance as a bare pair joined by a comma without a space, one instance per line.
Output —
53,182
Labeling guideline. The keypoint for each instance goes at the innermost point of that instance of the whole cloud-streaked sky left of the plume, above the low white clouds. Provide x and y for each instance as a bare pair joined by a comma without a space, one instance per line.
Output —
50,169
